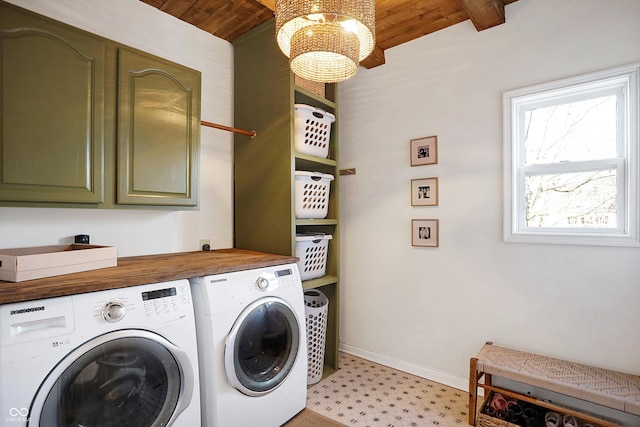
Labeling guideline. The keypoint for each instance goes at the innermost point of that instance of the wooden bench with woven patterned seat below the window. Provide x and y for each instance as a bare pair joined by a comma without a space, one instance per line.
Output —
596,385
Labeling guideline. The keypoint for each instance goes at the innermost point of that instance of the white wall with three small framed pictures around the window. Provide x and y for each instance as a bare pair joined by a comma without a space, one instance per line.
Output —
428,310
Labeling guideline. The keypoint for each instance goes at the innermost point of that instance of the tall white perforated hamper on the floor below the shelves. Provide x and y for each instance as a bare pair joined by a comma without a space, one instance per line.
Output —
316,309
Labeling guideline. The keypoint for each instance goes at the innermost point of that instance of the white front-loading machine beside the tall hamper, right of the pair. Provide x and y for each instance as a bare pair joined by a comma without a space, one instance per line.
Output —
252,346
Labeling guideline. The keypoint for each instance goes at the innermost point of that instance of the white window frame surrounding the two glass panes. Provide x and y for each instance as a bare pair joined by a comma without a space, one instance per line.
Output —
625,82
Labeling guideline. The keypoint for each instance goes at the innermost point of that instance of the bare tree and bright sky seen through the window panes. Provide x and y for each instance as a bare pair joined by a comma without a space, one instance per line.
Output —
573,132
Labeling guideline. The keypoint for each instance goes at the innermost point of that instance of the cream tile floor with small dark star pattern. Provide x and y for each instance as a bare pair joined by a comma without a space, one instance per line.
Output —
366,394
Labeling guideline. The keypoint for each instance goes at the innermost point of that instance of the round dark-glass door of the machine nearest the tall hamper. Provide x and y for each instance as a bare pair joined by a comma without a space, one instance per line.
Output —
262,346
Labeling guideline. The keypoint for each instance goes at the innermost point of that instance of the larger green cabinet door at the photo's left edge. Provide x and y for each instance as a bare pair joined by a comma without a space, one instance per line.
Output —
51,111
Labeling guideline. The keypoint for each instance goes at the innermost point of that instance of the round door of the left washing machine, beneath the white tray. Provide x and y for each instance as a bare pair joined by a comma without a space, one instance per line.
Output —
122,378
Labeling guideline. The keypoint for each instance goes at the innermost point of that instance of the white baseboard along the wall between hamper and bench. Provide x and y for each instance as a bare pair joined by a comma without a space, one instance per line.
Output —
430,374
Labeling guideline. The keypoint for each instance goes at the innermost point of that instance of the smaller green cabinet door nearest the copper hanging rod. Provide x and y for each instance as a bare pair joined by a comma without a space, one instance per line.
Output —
158,131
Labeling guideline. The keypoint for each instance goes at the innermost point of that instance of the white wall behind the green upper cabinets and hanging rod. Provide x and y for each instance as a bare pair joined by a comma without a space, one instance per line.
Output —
140,232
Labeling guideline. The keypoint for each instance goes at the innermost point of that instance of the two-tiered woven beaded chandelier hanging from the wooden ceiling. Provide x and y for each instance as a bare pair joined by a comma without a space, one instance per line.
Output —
325,40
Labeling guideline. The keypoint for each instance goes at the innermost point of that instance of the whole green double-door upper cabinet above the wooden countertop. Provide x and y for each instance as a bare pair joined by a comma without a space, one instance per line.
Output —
87,122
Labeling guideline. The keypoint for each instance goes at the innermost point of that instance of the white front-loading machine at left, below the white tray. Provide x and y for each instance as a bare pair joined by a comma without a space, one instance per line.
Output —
122,357
